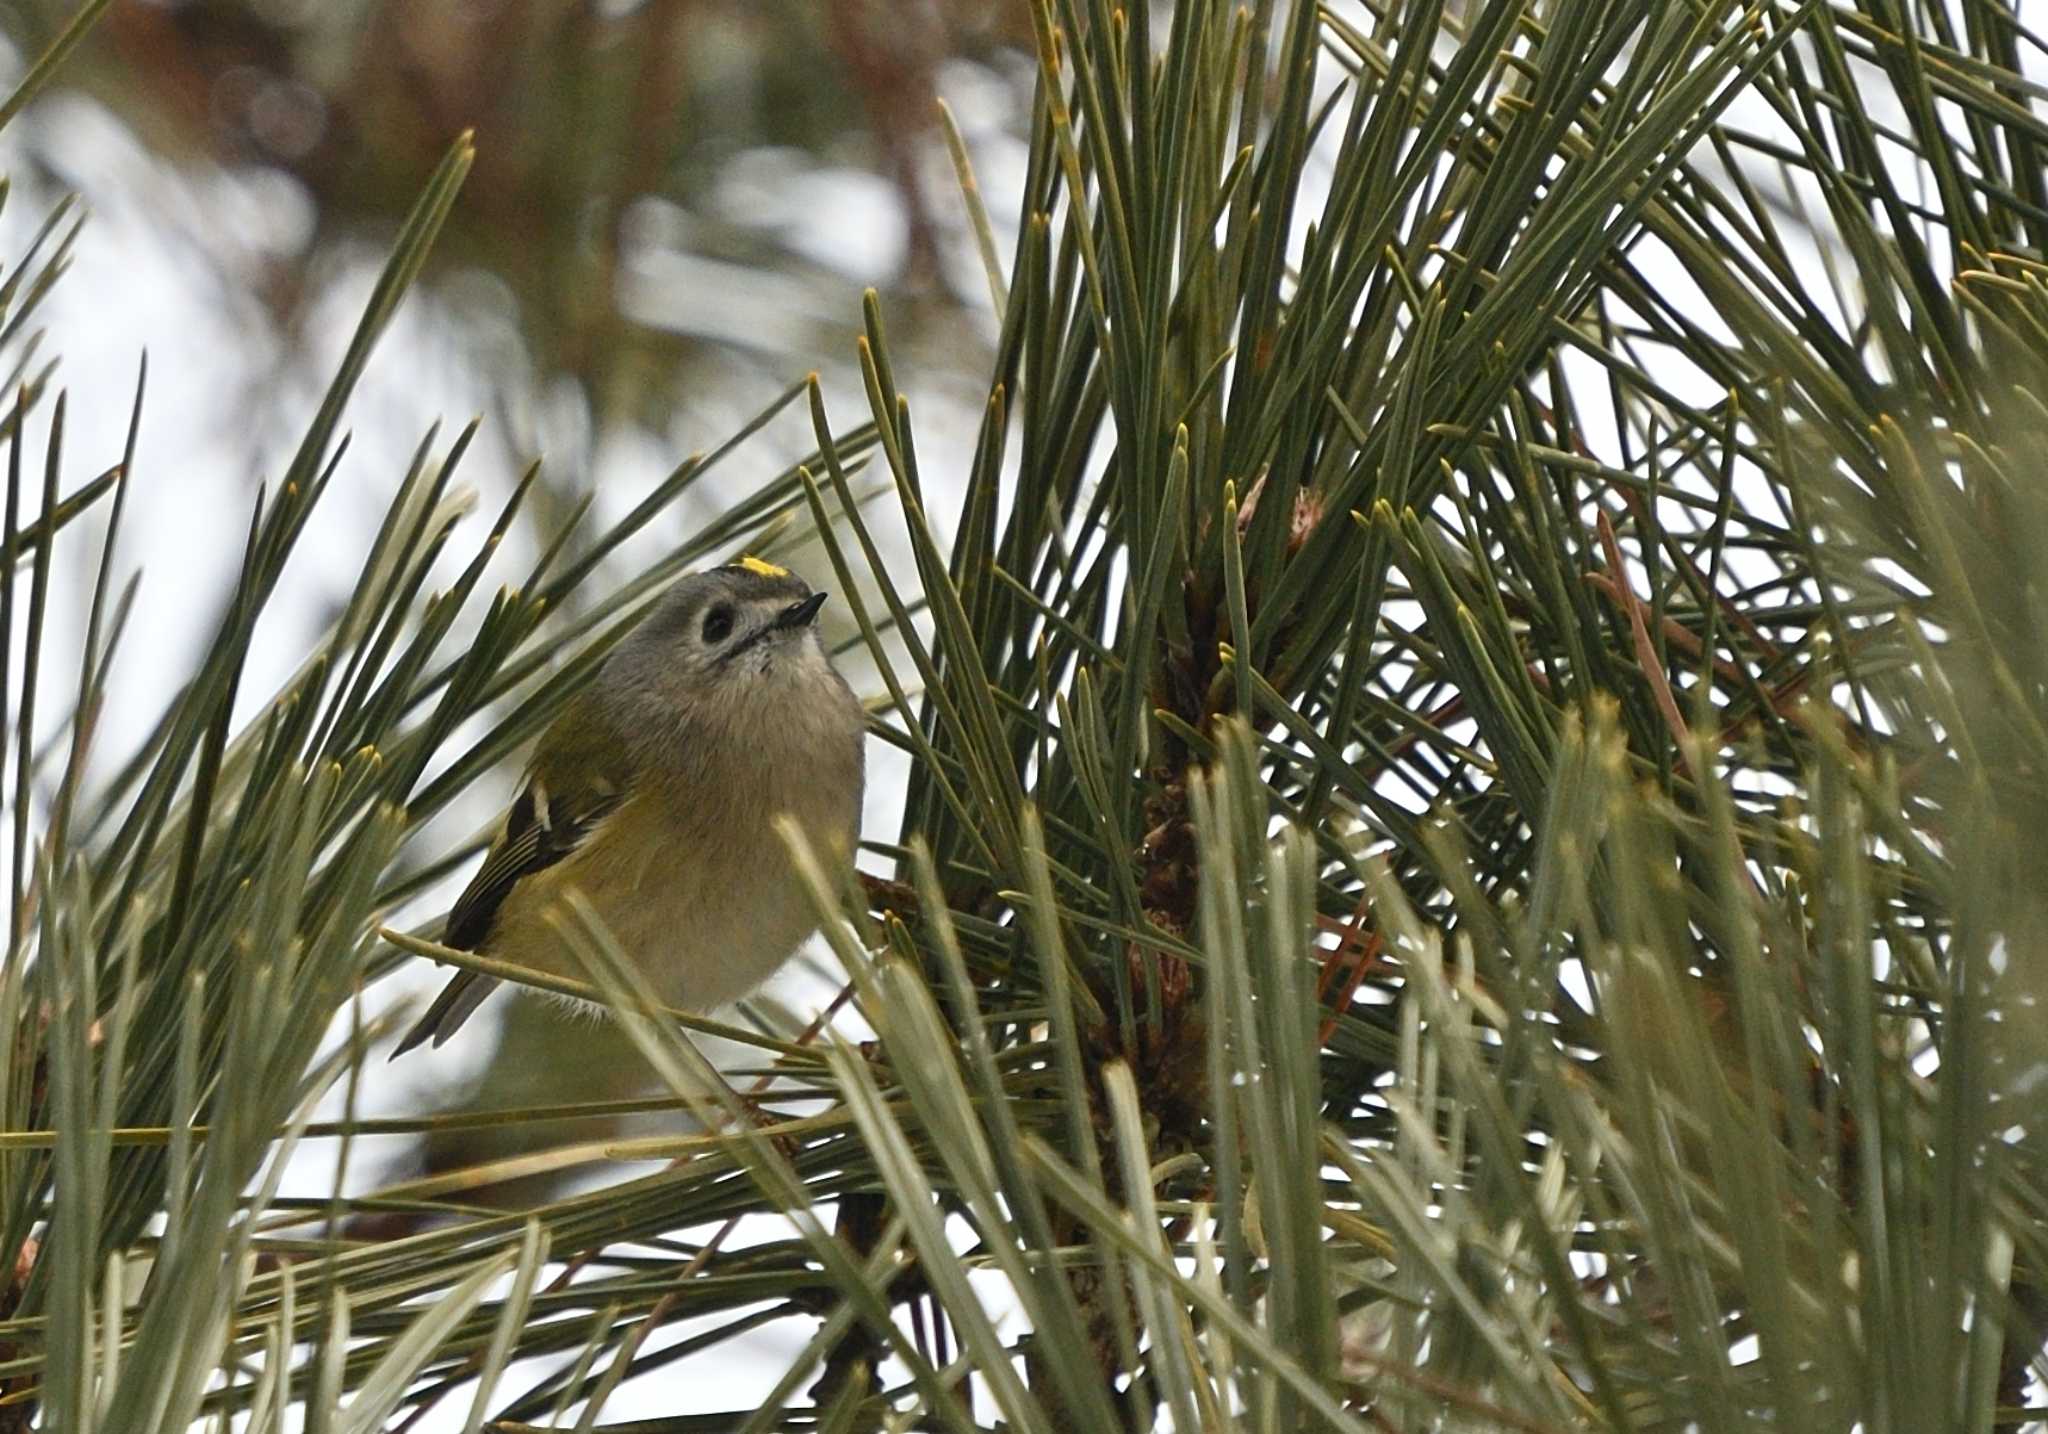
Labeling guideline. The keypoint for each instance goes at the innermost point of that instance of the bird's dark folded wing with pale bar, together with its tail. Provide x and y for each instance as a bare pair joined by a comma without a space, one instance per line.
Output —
544,827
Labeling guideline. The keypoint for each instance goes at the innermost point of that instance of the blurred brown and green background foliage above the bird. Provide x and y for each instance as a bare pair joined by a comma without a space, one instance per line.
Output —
648,173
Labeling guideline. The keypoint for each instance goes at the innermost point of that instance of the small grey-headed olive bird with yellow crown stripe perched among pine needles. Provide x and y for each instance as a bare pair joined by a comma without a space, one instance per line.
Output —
654,796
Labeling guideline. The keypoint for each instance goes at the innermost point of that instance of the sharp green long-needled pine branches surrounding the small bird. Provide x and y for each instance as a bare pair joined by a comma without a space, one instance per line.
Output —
1474,841
